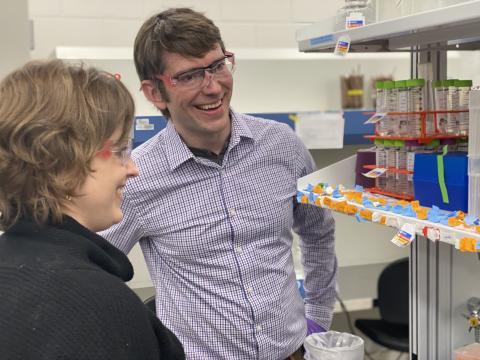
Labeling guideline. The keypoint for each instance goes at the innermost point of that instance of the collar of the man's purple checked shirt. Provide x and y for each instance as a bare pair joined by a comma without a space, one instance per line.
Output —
178,152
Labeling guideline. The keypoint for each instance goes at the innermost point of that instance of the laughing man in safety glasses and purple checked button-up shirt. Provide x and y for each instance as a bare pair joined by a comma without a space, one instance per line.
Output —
215,203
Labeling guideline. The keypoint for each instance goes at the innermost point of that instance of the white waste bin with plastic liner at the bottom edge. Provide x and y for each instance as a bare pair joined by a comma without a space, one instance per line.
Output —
333,345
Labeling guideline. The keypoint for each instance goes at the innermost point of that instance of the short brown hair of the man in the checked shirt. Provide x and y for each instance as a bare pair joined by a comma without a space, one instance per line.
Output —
181,31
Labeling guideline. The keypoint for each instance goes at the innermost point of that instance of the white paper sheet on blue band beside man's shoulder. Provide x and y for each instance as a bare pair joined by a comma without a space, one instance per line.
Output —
320,130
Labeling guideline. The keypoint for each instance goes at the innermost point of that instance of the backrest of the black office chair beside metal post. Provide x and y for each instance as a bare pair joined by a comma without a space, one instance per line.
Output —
393,292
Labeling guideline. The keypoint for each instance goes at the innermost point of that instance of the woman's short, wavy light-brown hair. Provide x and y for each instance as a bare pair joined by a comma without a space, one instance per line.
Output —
54,117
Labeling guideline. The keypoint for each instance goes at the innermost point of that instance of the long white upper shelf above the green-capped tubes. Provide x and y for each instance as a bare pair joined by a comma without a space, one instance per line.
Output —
447,24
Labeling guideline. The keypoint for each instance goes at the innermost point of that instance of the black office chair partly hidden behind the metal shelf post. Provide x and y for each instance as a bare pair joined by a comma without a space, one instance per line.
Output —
391,331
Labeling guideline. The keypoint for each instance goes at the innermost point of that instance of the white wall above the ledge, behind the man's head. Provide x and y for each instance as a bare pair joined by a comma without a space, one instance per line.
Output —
246,23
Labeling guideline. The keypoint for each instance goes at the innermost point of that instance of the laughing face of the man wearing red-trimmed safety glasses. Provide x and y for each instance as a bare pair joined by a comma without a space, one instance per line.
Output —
199,112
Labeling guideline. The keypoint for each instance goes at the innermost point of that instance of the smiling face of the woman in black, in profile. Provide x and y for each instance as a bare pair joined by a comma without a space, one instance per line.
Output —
96,204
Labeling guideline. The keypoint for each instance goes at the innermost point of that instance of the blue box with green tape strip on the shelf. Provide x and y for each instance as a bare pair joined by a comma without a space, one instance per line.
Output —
426,184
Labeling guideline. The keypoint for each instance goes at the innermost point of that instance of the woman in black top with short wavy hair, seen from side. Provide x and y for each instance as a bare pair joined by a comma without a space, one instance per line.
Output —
64,160
